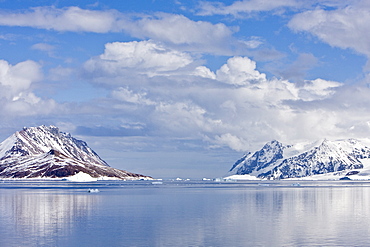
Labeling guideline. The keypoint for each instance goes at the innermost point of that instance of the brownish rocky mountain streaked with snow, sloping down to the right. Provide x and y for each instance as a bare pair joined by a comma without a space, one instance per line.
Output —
45,152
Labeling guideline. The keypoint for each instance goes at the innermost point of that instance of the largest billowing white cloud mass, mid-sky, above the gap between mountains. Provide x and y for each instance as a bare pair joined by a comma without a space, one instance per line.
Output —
231,107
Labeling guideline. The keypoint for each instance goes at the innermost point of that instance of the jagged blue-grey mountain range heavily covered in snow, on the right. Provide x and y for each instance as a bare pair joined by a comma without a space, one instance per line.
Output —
278,161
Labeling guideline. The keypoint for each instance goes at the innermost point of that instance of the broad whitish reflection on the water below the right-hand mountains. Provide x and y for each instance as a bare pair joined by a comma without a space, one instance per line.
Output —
297,216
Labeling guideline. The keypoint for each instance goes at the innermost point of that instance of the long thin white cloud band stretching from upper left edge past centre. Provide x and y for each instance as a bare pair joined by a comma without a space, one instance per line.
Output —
172,29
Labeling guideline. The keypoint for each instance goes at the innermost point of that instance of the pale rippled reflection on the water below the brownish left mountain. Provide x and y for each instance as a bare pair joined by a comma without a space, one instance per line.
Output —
41,216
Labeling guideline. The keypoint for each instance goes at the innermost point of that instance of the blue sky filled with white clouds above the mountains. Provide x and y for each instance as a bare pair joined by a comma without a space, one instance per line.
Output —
181,88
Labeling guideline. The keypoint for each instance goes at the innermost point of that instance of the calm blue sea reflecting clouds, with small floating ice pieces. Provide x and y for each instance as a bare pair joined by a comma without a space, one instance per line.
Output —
184,213
